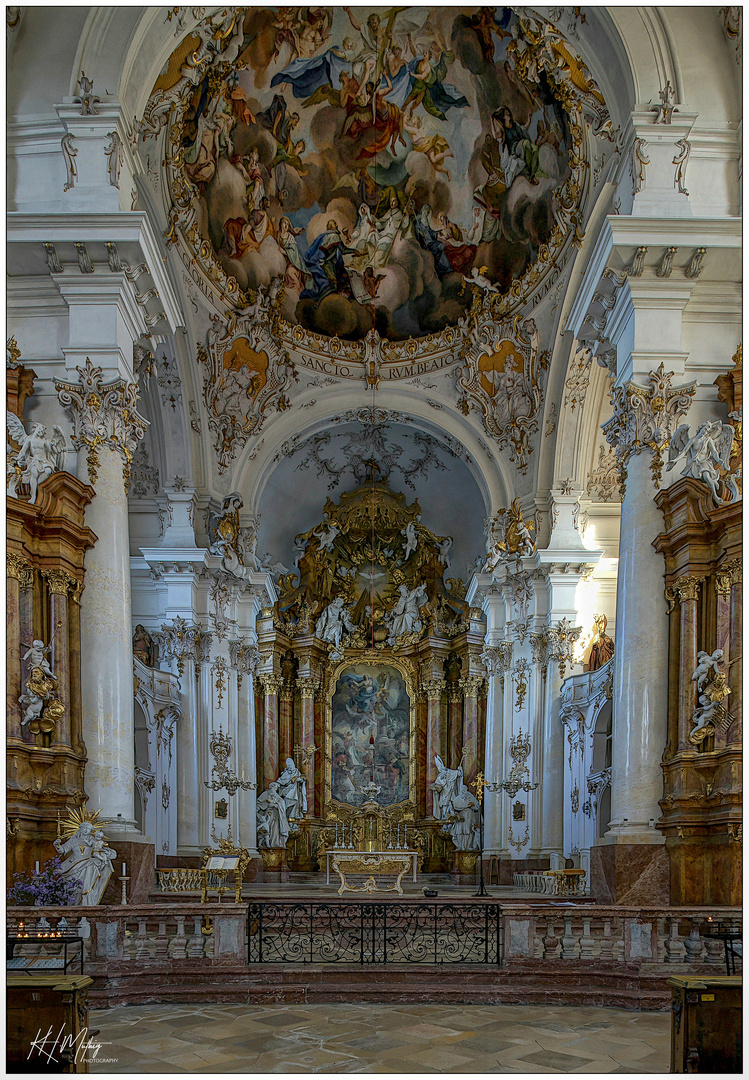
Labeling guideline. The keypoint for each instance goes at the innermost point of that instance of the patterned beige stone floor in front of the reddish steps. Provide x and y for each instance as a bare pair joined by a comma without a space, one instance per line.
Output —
380,1038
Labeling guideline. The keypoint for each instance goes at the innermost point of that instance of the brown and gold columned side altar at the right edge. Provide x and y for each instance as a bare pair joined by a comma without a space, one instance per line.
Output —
702,804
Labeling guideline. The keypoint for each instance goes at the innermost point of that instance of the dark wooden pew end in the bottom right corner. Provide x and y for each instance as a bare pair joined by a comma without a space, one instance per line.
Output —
706,1024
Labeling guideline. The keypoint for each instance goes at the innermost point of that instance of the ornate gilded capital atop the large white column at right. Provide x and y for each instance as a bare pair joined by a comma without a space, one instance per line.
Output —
645,420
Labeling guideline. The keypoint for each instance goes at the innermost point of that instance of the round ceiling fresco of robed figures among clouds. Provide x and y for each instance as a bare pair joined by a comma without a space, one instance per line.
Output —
375,158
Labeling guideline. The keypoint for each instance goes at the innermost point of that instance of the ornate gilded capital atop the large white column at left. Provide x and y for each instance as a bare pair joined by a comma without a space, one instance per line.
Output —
104,414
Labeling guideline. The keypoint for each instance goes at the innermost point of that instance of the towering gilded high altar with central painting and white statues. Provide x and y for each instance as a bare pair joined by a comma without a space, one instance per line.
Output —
371,681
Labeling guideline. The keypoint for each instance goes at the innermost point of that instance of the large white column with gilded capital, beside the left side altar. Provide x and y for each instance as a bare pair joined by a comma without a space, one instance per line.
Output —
106,430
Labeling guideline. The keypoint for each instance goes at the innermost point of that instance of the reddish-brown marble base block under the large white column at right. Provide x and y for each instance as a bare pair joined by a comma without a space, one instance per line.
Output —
624,873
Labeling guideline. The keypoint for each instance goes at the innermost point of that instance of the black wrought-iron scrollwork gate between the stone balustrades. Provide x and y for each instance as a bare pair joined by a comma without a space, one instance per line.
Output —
375,934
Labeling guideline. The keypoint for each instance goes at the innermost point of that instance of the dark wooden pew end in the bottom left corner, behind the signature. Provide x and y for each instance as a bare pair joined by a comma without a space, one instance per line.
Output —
51,1012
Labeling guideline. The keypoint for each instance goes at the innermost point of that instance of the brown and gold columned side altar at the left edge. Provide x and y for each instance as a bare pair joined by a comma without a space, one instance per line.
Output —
47,544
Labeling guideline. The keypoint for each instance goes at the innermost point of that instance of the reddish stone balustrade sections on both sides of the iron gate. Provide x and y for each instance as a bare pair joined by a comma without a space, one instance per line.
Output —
159,938
